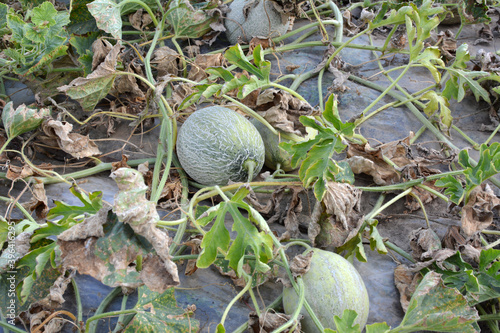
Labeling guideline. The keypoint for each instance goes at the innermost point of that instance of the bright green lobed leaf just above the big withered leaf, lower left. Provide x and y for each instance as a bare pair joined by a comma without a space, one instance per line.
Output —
91,205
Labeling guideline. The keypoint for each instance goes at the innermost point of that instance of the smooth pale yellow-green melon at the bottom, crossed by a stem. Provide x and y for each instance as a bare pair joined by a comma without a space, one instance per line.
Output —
332,285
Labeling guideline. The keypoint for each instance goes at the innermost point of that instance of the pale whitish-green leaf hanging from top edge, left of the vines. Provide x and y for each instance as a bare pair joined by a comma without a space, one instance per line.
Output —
107,15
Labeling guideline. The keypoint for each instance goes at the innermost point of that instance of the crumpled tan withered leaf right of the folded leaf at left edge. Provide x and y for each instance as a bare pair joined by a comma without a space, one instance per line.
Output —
75,144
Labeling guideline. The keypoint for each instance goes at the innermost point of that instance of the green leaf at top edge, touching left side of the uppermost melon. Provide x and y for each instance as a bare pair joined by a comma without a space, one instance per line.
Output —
188,22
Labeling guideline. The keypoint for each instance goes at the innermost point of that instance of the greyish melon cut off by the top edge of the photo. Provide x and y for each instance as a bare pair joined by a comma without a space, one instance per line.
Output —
262,20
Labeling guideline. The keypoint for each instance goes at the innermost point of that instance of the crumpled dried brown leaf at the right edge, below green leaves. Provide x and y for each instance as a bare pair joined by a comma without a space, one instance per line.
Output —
477,214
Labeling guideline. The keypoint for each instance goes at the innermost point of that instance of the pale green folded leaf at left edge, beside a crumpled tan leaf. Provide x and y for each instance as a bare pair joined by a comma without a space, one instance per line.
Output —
22,120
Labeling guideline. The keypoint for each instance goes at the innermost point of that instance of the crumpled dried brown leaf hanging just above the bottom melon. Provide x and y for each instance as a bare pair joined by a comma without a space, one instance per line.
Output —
337,218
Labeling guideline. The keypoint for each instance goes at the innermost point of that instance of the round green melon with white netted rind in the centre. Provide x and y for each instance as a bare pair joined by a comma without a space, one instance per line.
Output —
216,145
